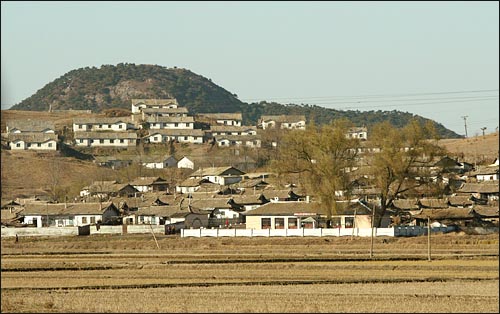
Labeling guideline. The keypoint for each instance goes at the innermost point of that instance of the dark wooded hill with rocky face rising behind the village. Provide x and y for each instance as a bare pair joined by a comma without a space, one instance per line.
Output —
109,86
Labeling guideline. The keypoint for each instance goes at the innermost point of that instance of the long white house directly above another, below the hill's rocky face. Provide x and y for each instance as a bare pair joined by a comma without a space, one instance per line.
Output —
116,124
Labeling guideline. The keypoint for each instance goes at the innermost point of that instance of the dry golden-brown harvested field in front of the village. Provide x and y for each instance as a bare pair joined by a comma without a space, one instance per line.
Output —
128,273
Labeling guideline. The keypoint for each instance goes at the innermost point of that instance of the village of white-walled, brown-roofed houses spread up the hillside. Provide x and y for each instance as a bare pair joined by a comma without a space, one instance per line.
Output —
224,194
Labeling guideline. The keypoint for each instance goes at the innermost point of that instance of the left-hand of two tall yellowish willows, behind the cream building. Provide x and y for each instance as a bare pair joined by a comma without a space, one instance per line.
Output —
324,157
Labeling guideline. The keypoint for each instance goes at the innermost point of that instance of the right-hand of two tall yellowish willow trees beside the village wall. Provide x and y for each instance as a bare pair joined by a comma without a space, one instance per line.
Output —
402,160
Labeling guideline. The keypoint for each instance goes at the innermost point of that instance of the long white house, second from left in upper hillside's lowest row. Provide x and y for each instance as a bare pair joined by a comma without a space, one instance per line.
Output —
105,139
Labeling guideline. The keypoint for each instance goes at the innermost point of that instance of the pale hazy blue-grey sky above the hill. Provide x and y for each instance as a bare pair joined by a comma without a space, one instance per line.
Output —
439,60
